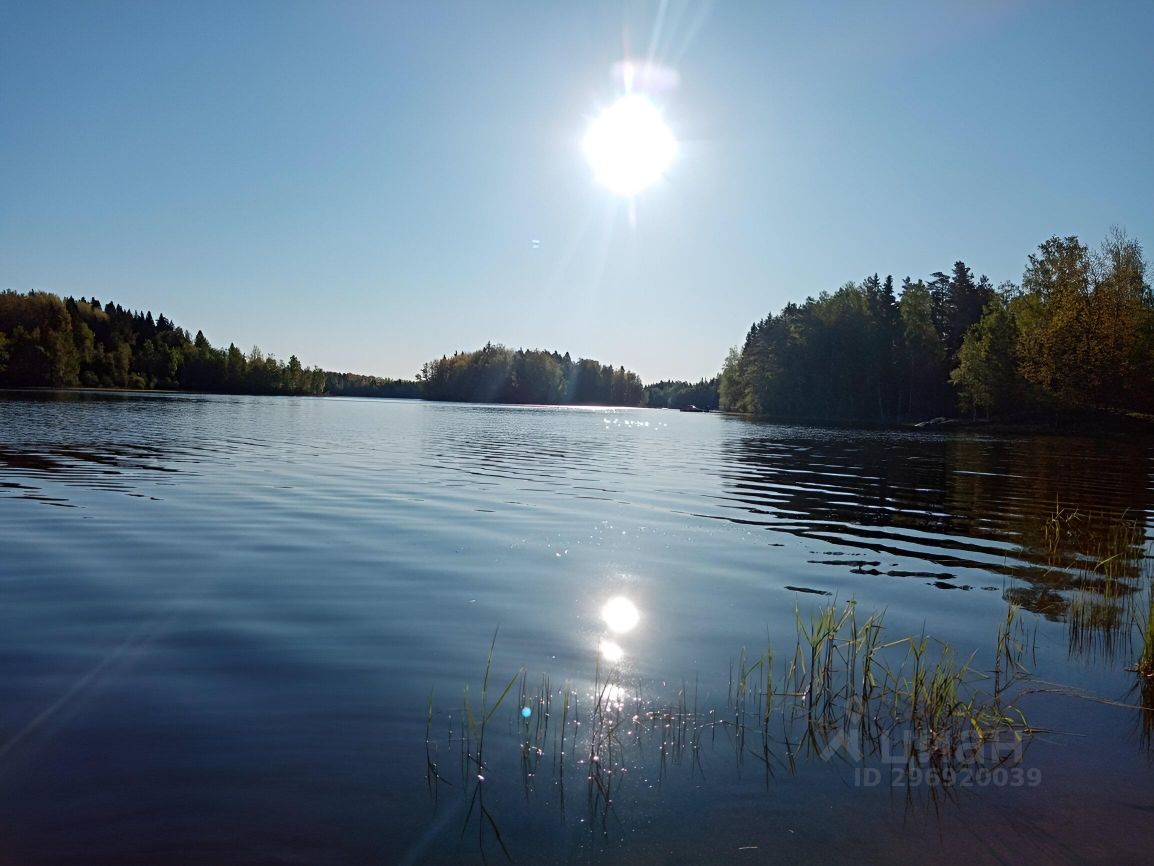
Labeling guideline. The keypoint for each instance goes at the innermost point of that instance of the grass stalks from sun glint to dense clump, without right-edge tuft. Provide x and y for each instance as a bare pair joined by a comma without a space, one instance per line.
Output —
850,692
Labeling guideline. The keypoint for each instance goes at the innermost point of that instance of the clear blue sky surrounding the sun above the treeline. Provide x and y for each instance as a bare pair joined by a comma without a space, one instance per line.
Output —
363,184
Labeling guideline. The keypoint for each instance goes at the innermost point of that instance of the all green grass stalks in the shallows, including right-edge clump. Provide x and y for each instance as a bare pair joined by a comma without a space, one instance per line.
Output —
850,691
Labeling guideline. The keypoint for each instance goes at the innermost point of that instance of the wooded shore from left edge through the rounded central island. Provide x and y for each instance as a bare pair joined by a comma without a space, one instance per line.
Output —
50,342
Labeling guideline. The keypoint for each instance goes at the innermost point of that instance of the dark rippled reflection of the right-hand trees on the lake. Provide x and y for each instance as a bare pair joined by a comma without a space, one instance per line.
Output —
1065,516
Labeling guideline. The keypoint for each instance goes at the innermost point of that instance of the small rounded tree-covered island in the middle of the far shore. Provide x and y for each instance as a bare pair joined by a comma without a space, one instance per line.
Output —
497,375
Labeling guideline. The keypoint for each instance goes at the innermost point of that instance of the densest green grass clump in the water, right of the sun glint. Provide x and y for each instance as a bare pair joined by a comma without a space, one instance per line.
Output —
845,686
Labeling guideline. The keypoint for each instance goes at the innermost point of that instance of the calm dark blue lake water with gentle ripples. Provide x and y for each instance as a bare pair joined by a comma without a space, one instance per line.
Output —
222,621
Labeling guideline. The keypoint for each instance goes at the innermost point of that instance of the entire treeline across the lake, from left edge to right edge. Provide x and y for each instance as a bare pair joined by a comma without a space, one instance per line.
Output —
1076,335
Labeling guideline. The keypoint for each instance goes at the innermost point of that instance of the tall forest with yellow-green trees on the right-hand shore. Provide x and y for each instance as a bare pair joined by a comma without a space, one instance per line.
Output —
1077,334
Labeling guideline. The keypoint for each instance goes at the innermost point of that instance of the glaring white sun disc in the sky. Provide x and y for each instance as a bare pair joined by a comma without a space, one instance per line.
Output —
630,146
